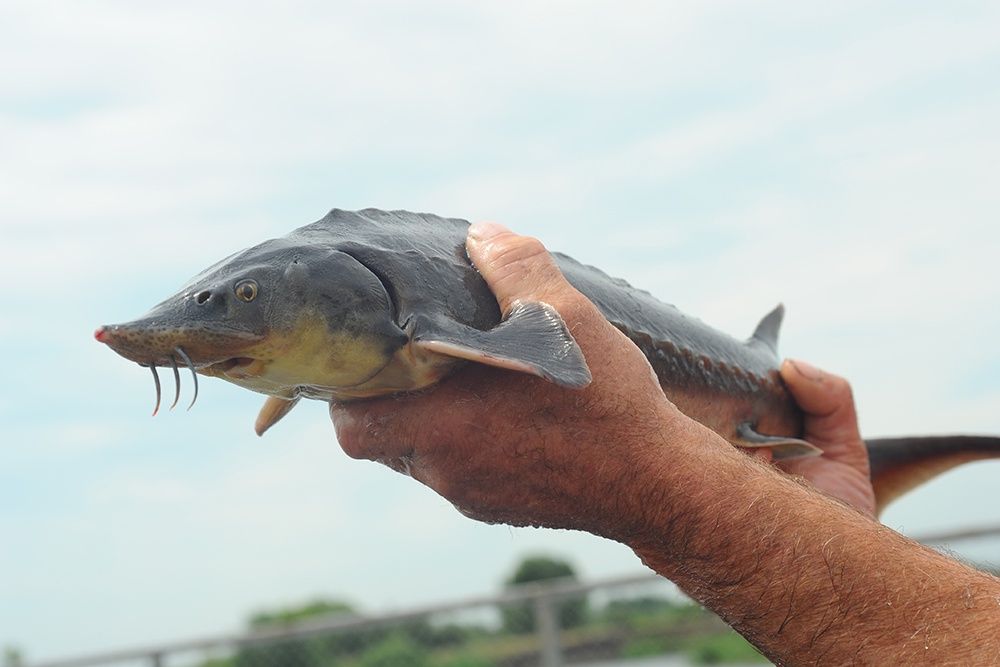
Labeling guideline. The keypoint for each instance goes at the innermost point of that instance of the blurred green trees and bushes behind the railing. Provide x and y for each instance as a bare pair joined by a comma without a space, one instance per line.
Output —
629,627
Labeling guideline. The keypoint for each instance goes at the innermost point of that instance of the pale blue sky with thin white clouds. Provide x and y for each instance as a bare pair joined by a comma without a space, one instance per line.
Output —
839,157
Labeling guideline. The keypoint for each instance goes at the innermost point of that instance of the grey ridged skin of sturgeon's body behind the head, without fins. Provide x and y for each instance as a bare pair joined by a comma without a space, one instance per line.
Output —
712,377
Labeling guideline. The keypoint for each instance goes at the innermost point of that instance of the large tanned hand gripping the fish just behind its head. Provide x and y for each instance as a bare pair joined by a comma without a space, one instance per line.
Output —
506,447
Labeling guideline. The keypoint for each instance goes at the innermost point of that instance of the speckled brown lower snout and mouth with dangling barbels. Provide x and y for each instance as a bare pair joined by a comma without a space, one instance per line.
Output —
166,347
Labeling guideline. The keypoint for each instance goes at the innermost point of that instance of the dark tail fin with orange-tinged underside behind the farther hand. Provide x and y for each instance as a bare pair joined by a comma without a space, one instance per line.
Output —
901,464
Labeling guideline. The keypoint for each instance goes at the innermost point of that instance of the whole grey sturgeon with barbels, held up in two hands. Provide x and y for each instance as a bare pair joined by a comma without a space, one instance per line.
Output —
368,303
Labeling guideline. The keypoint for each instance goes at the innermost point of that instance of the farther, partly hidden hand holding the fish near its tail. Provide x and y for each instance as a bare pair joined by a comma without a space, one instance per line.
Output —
831,424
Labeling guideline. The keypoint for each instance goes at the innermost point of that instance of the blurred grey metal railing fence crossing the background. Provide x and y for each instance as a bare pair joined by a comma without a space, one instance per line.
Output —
560,622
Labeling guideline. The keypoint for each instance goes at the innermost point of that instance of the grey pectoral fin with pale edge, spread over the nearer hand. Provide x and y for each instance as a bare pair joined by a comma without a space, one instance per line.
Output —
532,339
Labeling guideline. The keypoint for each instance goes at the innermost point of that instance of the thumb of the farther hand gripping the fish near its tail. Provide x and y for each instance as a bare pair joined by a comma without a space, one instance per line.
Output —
827,401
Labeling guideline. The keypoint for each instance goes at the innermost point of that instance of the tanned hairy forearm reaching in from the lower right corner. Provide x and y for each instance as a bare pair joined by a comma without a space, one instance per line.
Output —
806,579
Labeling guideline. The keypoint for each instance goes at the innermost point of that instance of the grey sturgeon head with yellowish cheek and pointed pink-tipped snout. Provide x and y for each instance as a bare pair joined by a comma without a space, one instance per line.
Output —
281,318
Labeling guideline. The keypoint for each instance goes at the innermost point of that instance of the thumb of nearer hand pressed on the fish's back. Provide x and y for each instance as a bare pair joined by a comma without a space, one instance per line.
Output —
516,267
